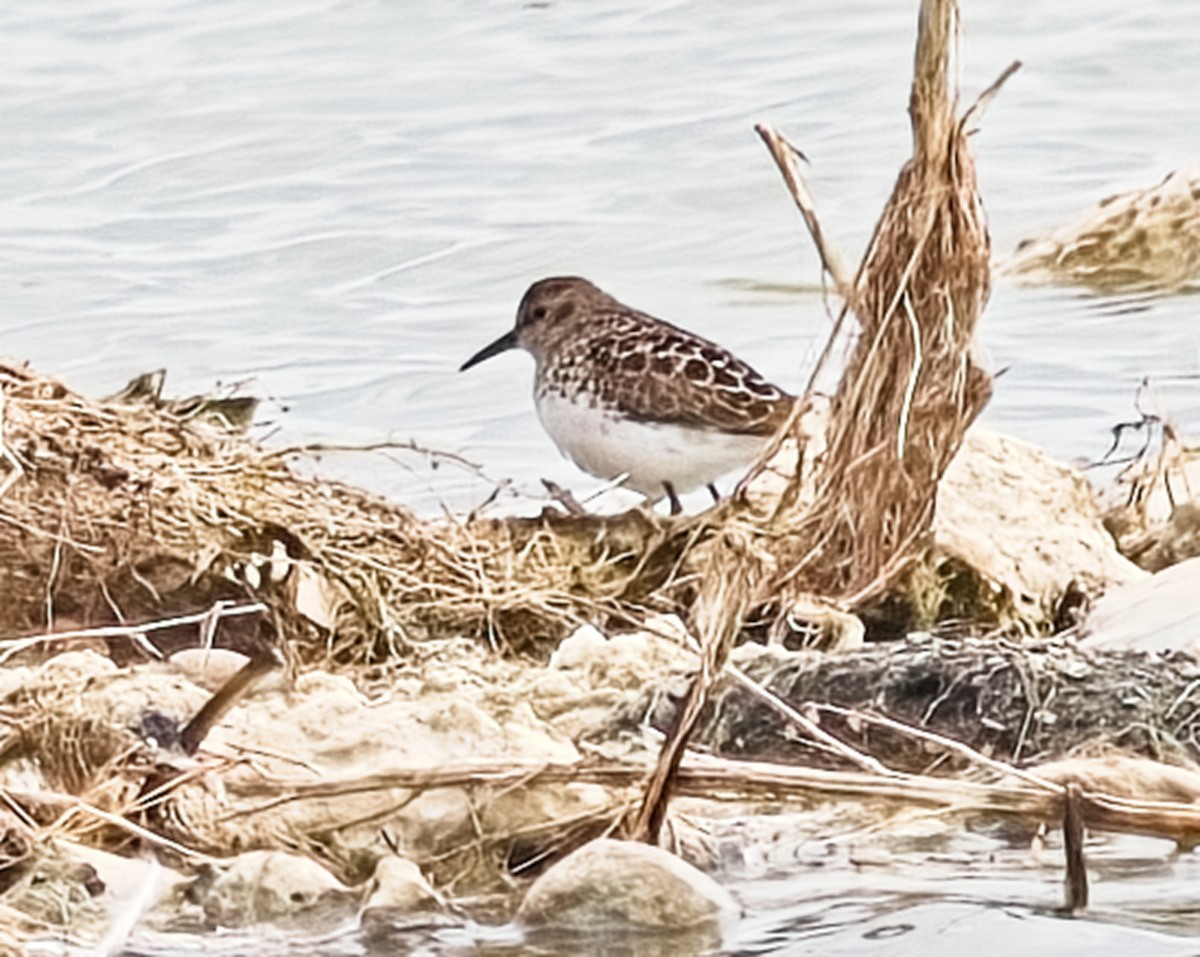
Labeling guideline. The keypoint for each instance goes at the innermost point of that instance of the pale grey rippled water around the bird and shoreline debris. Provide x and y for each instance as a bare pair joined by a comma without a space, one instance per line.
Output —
339,202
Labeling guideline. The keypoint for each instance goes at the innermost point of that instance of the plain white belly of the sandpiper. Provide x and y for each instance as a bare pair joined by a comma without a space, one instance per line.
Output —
650,454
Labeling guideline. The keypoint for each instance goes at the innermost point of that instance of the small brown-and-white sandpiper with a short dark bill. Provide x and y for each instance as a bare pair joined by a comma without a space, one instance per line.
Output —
623,394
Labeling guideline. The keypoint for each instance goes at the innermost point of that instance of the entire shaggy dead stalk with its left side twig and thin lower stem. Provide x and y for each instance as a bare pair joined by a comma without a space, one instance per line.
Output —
903,407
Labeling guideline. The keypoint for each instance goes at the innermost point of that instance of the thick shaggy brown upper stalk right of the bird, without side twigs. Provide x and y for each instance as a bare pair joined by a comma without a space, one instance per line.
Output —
911,388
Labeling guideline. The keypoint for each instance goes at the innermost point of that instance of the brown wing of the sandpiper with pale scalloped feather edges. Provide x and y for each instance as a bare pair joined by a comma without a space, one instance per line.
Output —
661,374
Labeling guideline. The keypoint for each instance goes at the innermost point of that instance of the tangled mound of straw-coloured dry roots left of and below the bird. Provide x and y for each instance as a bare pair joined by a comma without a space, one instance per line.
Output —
130,513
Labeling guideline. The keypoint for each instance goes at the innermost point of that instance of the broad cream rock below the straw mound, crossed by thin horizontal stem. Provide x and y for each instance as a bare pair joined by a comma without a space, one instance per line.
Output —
326,731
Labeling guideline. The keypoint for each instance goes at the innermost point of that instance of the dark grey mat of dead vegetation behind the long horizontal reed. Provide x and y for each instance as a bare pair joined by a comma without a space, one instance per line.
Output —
1019,702
